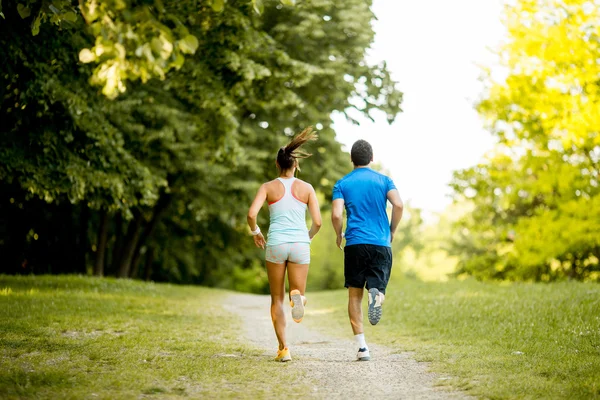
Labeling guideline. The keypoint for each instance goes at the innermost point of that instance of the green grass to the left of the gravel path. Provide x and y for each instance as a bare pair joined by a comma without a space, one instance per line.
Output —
77,337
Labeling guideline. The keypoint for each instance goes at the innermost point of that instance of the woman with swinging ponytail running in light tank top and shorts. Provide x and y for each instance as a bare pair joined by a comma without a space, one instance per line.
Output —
288,240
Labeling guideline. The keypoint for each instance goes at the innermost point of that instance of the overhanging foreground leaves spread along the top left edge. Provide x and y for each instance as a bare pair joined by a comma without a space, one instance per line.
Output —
132,39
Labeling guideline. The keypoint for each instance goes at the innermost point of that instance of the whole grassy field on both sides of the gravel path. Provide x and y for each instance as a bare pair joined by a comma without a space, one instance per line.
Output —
76,337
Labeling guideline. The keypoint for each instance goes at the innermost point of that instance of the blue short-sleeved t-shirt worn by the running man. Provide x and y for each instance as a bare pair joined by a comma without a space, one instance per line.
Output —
364,192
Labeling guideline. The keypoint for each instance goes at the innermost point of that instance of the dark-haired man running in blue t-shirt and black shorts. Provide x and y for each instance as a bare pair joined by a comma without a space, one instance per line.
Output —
369,233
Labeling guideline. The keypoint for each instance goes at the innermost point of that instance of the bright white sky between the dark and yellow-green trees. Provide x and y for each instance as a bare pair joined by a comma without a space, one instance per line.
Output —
432,48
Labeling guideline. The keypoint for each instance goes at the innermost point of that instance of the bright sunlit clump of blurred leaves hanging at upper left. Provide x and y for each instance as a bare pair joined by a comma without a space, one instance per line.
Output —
134,41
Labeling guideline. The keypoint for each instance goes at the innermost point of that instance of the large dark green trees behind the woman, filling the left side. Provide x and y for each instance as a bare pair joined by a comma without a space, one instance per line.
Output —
166,170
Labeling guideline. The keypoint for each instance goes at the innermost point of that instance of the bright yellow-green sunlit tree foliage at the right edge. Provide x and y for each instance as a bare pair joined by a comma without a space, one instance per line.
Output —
535,199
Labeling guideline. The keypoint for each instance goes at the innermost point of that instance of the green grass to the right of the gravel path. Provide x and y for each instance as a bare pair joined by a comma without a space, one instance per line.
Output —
497,341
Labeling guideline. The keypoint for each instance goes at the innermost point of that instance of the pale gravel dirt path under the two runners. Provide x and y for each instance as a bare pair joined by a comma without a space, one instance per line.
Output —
329,362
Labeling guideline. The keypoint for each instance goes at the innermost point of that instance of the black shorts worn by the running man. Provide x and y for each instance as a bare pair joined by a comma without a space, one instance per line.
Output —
367,264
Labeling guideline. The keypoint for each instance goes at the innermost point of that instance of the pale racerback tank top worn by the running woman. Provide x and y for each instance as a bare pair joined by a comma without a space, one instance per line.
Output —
288,218
